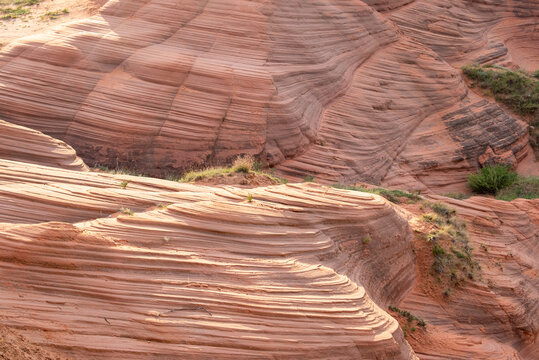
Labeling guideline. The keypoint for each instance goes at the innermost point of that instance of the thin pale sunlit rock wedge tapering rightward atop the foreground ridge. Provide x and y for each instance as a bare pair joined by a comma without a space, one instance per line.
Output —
32,193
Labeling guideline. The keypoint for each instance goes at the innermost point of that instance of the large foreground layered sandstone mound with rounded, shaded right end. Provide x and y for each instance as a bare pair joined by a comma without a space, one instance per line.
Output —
217,277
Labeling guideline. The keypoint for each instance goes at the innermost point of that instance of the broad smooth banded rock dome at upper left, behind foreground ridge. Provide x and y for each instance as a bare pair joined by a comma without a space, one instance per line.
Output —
217,78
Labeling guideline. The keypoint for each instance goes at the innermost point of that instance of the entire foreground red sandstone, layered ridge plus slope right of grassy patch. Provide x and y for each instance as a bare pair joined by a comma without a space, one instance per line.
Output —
201,272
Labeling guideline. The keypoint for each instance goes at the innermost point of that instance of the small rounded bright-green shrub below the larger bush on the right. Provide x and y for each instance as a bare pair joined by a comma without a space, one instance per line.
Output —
491,179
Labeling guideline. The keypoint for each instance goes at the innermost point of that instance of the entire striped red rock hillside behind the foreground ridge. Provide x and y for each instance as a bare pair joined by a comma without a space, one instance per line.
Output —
340,90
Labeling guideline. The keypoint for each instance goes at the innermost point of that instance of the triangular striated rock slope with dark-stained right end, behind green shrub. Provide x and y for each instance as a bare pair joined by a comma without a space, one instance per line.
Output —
378,132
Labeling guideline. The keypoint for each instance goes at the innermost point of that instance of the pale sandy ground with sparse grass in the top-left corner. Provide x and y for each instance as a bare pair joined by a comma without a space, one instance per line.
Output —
36,22
